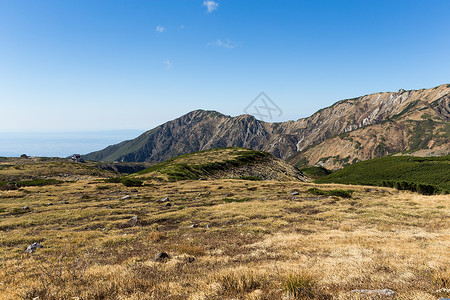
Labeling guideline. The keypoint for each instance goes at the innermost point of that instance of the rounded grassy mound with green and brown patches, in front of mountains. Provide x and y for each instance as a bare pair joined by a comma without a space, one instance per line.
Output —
221,162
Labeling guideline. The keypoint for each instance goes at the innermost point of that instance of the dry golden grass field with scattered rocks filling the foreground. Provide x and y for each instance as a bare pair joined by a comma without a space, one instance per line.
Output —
265,244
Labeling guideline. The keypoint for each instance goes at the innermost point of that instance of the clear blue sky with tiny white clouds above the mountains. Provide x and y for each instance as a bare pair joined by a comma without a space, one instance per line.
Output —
109,65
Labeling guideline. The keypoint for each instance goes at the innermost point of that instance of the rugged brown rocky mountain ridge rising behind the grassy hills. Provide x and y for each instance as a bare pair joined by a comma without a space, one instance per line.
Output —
348,131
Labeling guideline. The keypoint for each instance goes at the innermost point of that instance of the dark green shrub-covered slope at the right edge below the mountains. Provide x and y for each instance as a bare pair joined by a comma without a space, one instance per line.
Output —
428,175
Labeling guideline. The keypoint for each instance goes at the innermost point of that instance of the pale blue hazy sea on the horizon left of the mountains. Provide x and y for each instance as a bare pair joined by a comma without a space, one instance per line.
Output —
61,144
